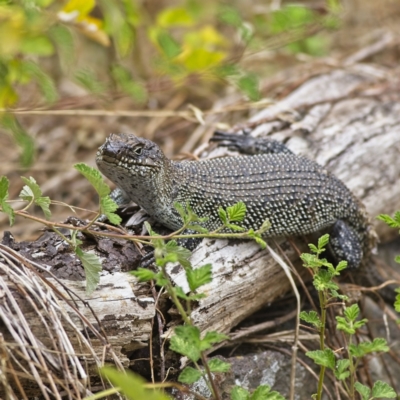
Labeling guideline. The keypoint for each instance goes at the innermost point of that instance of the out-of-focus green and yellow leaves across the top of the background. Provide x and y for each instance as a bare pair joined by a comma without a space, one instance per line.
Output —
175,41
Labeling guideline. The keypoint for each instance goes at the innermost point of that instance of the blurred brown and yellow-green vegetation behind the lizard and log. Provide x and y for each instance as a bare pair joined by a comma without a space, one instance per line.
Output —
172,71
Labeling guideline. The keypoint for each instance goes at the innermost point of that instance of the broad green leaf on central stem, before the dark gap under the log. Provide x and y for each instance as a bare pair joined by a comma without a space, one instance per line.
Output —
186,341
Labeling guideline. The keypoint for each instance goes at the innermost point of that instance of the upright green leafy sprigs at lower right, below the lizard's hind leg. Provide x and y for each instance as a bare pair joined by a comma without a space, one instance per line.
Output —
344,369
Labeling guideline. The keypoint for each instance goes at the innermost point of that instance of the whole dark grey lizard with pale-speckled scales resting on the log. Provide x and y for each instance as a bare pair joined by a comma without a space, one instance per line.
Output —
295,194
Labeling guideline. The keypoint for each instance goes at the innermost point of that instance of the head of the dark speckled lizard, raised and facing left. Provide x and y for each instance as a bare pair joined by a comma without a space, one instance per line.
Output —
124,155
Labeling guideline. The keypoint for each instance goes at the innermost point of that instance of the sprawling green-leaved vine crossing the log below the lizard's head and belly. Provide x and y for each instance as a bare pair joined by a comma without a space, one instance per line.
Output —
187,339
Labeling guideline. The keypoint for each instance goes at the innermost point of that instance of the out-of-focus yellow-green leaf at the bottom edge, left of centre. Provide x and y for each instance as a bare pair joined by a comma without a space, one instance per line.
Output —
132,385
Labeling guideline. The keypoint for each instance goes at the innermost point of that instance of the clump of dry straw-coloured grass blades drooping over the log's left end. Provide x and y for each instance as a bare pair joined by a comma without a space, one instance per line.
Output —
42,366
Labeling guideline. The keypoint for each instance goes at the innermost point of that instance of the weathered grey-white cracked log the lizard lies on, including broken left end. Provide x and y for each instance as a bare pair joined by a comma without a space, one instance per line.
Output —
344,121
